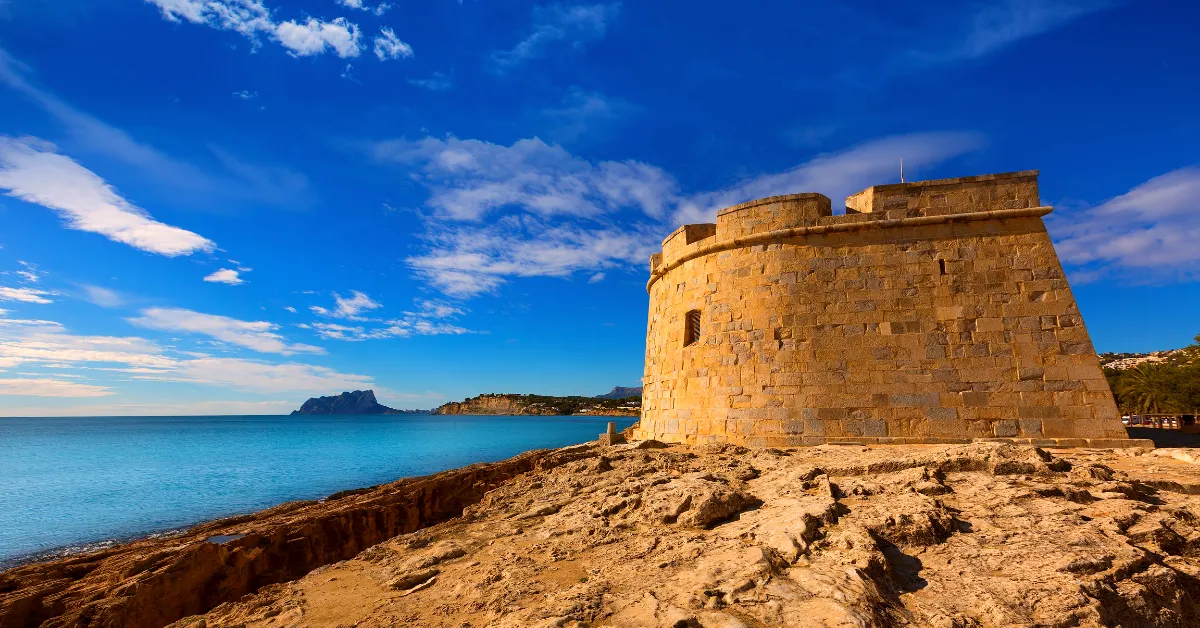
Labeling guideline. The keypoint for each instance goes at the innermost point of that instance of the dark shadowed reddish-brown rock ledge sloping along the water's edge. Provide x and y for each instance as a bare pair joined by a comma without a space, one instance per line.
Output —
155,582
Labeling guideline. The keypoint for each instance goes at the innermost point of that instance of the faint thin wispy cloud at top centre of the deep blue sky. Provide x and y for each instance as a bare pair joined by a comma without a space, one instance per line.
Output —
557,23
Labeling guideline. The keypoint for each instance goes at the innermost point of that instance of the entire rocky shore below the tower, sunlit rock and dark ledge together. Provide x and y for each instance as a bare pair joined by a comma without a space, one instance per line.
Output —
644,535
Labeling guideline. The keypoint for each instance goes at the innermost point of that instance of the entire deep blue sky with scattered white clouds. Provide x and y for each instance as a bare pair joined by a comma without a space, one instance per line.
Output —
231,206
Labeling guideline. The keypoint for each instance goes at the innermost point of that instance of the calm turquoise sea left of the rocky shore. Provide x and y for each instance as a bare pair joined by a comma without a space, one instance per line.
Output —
68,483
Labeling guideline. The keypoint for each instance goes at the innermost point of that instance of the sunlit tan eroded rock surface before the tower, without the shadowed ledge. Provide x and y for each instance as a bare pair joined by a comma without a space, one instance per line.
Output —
946,536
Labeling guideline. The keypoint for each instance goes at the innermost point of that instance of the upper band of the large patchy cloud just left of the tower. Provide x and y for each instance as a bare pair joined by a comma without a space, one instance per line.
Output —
470,178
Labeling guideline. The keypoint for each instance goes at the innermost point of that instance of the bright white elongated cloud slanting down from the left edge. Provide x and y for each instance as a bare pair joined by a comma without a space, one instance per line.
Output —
33,171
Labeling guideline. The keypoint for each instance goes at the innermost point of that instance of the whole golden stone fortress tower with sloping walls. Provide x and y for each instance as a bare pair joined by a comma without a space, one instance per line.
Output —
931,313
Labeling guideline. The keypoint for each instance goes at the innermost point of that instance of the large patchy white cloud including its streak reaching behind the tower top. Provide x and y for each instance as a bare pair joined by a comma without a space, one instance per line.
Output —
559,208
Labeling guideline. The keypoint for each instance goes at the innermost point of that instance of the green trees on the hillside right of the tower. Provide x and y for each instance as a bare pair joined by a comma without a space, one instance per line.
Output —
1168,387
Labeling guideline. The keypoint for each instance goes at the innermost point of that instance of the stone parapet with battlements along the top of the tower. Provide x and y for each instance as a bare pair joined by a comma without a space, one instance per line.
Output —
986,196
